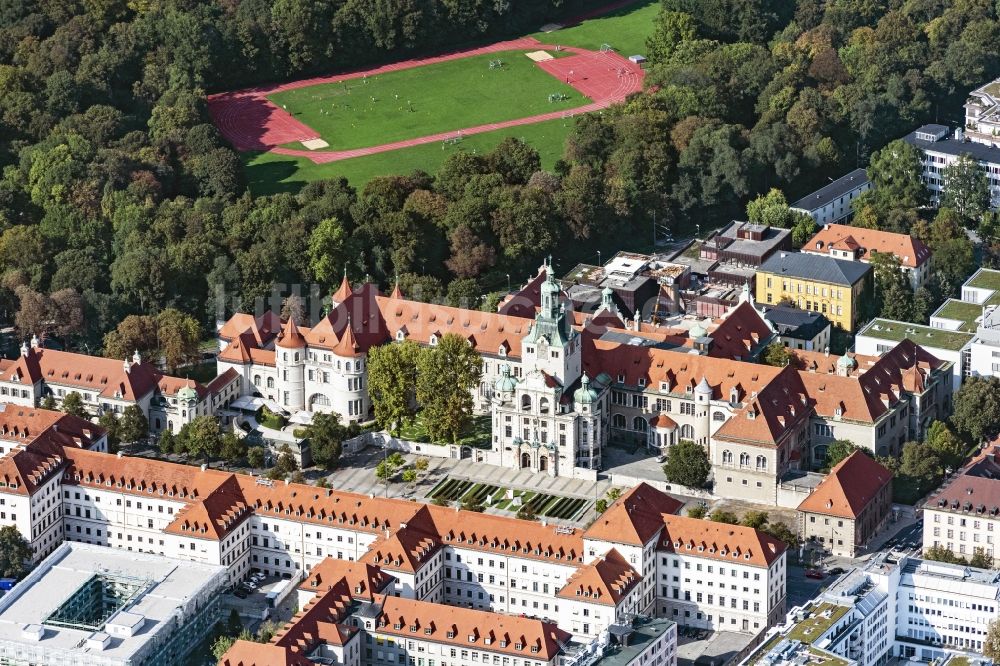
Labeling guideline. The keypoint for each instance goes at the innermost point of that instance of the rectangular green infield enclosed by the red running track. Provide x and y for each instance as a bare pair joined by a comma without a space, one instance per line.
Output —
441,97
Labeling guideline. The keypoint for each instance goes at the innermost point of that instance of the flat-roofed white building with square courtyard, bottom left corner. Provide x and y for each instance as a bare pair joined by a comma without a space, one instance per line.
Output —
100,606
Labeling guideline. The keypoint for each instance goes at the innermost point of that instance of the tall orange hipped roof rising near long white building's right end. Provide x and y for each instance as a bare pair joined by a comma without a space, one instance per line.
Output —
635,517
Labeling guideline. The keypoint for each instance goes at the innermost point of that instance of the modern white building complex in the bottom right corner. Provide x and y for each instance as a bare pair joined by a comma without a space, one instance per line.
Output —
891,607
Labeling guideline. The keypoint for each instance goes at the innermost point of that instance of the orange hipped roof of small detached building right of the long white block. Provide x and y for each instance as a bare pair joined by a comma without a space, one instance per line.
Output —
849,487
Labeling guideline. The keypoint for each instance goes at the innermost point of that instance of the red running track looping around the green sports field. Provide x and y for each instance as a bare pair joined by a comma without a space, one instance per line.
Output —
252,122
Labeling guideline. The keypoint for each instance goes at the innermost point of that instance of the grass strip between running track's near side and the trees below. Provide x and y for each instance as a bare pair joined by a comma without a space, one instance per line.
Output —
268,173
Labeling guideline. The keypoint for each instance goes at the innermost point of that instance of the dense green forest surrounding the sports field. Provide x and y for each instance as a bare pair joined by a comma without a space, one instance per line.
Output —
119,197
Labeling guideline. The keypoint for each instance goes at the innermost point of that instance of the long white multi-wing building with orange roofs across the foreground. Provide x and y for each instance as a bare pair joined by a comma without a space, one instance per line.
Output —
579,580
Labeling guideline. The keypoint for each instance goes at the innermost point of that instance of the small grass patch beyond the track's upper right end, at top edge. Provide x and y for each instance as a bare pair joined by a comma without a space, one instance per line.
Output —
625,30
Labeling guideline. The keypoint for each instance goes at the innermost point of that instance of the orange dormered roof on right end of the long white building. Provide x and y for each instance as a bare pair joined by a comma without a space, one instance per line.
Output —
733,543
